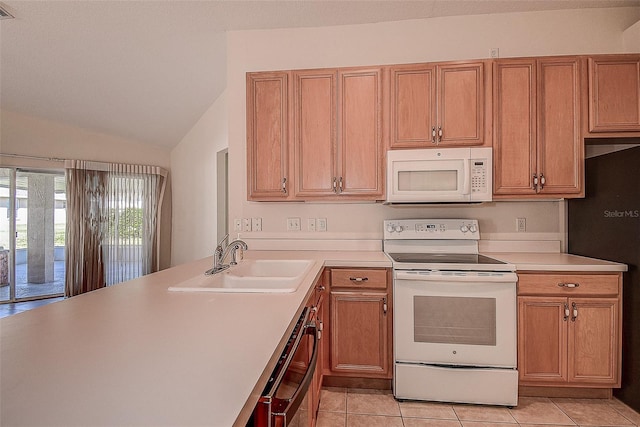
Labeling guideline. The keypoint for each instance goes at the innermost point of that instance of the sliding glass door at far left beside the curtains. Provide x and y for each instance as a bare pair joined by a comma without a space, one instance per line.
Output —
32,233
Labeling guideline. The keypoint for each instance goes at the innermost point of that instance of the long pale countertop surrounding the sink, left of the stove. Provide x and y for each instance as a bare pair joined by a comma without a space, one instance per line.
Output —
136,354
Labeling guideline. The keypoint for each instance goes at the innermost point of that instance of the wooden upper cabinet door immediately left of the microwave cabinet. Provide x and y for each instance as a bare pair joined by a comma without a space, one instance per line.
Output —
360,171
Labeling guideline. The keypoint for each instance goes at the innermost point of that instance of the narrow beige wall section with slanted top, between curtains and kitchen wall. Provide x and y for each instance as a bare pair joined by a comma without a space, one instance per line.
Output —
193,166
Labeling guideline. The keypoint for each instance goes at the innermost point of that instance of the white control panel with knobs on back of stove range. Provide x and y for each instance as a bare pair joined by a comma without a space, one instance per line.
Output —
431,229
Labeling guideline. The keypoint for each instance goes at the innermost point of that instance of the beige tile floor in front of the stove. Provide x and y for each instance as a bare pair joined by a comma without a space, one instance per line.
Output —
371,408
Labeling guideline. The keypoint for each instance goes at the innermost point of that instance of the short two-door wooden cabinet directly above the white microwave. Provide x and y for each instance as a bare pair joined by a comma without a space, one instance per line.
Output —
443,104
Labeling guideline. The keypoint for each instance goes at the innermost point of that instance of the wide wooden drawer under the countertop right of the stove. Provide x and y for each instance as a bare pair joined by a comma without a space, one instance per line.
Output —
568,284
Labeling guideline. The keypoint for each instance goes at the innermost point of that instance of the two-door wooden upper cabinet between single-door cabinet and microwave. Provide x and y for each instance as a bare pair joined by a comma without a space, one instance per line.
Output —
338,134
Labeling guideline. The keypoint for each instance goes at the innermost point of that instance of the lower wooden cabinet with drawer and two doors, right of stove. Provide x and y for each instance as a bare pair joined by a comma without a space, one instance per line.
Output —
569,330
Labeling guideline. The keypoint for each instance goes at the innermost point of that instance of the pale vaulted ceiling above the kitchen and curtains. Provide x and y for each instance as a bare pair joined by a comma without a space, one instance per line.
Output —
148,70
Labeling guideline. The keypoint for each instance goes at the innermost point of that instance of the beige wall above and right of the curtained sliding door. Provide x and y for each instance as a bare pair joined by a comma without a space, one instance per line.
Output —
31,136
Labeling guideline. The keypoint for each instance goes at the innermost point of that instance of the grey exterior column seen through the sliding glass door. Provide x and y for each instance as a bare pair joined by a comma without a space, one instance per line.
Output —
40,229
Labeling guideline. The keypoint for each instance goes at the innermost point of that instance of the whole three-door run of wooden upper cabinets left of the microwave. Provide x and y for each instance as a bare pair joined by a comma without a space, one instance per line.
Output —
315,134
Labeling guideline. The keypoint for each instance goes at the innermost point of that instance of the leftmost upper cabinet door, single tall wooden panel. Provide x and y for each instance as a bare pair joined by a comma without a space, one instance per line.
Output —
267,135
